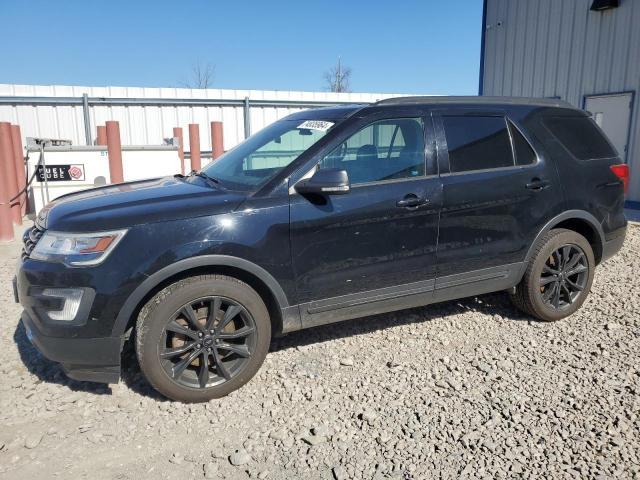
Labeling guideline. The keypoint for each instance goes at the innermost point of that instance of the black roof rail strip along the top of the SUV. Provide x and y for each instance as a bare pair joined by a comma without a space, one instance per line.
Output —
474,100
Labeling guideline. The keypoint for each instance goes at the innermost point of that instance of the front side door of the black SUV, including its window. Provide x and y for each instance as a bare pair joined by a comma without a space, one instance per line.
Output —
360,252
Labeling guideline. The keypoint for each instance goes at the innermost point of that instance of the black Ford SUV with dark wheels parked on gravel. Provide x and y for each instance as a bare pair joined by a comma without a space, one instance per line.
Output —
325,215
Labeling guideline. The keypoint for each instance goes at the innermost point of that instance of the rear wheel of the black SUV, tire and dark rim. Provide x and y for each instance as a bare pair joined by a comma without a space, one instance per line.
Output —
534,294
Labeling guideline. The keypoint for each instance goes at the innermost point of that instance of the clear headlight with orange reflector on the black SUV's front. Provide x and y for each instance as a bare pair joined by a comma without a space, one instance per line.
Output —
76,249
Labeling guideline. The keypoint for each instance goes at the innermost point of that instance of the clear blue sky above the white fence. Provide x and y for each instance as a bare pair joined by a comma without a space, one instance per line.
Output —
417,46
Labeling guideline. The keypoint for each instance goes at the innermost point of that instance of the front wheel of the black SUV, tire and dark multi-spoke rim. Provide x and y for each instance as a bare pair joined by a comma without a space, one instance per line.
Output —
214,362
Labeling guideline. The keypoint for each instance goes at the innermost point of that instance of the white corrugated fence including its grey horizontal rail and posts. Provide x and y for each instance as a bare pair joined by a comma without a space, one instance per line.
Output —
148,115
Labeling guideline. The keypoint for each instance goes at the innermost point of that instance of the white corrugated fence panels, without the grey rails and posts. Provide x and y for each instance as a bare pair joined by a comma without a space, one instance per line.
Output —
149,125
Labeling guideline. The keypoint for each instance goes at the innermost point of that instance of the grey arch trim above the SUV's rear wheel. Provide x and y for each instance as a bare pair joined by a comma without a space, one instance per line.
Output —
579,221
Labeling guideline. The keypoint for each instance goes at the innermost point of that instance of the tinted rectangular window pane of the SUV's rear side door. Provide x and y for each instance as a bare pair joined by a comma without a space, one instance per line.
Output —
477,143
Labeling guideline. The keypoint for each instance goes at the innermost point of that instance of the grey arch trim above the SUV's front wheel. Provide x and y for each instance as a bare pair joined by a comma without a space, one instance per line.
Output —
254,275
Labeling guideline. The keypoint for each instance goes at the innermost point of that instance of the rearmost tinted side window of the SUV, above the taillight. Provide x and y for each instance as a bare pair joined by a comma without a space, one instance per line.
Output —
581,137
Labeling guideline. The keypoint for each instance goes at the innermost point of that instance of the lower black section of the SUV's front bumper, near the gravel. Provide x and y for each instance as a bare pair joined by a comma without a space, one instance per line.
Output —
86,359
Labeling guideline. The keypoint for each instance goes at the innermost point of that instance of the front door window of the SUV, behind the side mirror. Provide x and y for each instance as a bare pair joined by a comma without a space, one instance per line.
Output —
383,150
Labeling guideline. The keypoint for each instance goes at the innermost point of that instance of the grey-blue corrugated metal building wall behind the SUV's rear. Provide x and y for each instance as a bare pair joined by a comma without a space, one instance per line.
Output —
553,48
